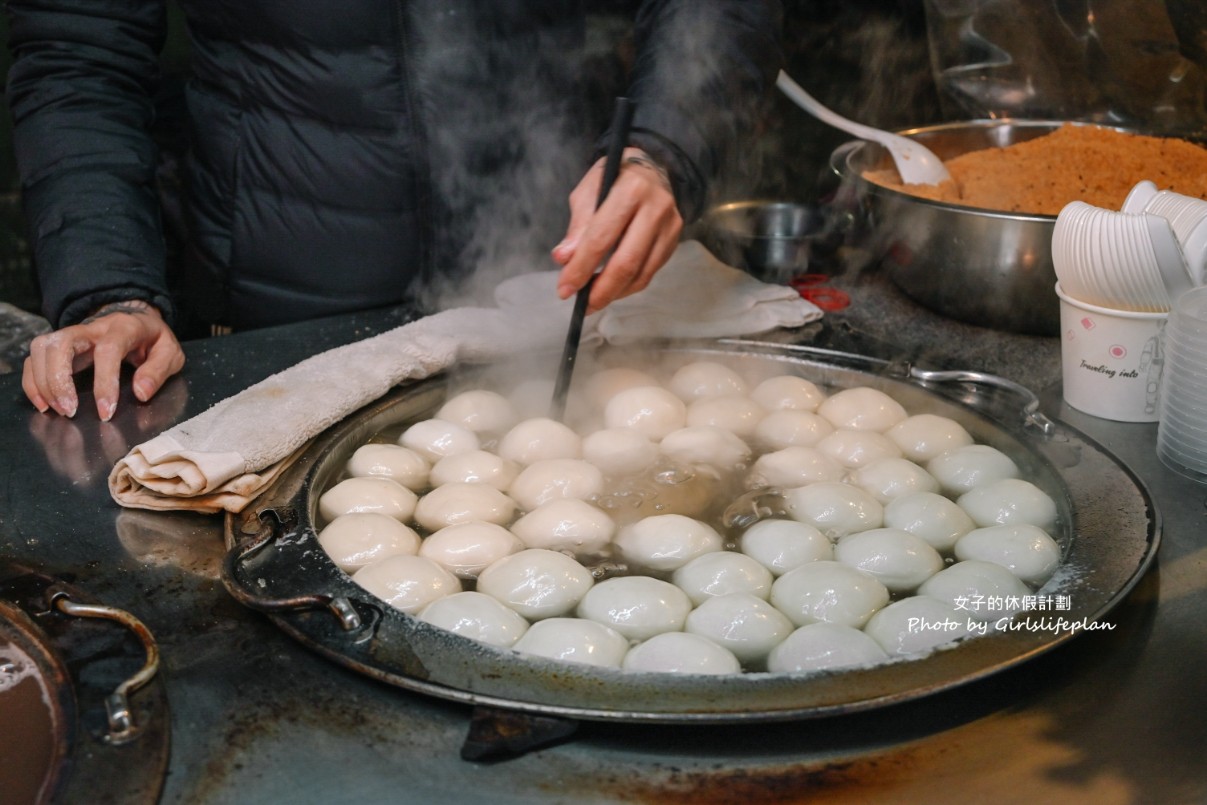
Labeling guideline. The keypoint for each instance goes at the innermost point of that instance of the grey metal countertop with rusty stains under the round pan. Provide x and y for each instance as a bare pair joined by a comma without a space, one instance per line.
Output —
1110,717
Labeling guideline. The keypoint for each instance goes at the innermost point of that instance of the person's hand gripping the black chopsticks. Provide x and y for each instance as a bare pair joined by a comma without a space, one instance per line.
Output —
639,223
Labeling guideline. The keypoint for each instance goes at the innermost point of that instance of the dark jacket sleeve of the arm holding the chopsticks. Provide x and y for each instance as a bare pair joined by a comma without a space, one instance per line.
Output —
703,69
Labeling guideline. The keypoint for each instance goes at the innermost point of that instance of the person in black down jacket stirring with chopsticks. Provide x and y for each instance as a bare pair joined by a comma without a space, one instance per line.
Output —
349,156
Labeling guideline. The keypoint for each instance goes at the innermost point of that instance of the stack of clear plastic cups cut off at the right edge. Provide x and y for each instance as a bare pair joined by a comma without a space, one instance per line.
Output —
1182,433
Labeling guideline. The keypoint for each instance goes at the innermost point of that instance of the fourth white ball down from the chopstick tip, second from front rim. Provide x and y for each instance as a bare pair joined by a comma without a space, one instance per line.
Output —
538,584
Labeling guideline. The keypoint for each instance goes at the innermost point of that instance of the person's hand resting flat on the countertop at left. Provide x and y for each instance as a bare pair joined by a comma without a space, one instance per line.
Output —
132,331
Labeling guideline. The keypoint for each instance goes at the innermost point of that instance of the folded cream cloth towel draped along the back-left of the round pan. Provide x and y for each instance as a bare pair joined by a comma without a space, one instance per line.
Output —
221,459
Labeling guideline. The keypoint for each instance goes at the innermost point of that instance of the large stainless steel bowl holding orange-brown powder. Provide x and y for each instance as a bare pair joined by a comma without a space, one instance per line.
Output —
978,266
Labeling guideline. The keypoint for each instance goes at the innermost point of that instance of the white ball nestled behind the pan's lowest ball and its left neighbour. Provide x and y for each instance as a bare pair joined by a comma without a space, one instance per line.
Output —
637,606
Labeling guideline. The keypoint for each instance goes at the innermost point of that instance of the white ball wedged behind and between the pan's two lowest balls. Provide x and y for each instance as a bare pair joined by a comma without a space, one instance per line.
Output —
744,625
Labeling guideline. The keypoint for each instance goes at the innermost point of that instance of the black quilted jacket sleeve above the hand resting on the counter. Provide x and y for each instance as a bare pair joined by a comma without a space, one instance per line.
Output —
80,91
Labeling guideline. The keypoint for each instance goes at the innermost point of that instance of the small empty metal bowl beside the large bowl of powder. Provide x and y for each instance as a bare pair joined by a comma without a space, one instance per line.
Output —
771,241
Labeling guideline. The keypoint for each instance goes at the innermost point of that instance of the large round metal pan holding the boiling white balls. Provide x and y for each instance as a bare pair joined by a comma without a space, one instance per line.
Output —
1109,530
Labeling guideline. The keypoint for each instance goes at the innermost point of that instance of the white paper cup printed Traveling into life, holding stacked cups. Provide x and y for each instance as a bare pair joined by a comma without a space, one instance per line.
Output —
1111,360
